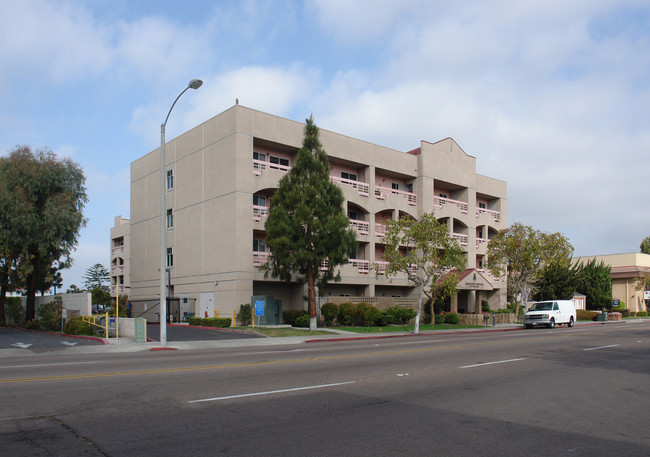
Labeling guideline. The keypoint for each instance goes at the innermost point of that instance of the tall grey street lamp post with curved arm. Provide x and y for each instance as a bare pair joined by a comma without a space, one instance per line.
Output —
193,84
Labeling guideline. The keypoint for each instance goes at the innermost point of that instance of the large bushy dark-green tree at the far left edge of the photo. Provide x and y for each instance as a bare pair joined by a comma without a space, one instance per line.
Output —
41,203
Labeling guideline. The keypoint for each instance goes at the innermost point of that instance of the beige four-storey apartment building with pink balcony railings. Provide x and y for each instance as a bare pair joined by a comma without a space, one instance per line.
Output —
221,175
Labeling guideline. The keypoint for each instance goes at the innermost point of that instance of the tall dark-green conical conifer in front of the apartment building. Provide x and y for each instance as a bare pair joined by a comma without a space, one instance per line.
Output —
306,224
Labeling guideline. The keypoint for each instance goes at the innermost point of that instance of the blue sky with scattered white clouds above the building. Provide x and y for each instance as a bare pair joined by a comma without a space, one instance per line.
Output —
552,97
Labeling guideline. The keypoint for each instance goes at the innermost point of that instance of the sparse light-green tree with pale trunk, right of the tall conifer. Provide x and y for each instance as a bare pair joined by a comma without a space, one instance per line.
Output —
424,251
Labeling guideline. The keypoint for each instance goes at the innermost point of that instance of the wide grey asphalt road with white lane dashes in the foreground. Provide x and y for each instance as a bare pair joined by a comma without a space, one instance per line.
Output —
575,392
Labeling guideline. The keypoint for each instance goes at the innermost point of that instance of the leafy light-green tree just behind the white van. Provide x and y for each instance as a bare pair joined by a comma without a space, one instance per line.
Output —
522,253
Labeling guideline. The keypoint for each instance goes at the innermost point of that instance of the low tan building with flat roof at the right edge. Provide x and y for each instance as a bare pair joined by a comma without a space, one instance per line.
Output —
627,270
